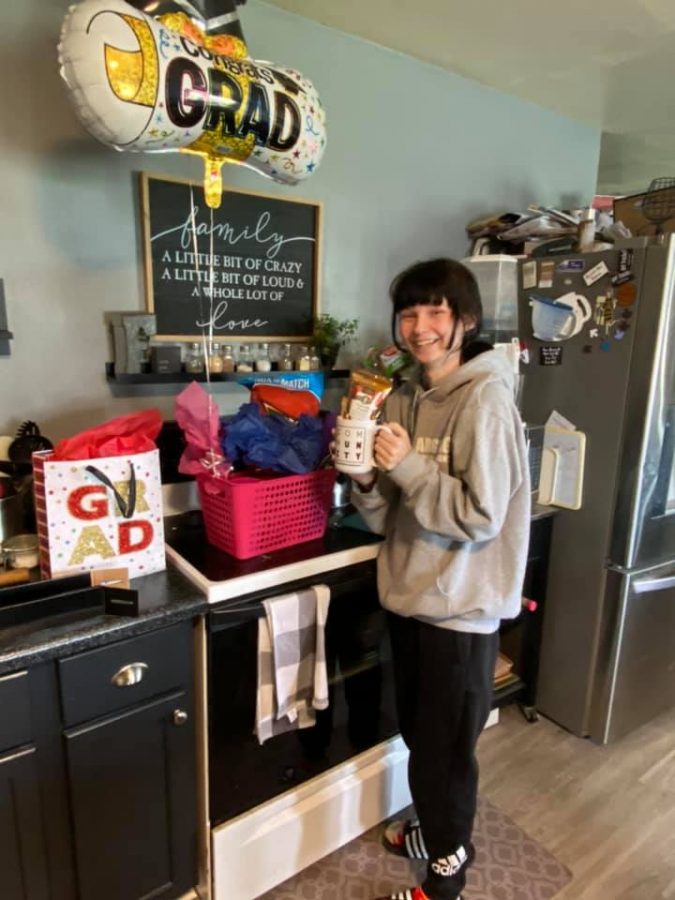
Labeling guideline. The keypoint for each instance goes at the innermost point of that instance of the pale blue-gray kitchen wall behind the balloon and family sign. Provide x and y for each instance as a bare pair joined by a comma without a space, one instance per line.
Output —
414,153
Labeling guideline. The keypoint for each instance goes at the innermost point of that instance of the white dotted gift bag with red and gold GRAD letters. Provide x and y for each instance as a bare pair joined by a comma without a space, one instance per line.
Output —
99,513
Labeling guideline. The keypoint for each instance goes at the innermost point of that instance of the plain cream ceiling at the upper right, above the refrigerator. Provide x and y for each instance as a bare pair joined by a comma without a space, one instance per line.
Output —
610,63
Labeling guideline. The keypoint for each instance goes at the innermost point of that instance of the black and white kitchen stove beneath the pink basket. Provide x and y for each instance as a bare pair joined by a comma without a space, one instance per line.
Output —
314,789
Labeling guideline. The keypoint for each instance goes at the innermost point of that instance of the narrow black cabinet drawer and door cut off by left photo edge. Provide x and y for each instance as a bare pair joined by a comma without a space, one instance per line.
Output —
23,860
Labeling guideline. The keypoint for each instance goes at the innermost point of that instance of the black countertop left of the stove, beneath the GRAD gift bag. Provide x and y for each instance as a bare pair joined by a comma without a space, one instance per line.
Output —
166,596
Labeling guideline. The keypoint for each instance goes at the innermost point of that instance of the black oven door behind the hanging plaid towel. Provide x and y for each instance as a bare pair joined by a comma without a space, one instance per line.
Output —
361,711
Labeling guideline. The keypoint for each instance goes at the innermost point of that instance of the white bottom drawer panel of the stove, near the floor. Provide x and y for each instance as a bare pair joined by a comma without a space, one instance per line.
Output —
260,849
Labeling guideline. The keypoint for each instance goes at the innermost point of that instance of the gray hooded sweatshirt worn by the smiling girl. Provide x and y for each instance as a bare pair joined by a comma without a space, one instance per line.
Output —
456,510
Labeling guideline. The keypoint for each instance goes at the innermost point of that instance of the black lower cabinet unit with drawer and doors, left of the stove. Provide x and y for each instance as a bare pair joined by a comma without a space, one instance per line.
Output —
98,793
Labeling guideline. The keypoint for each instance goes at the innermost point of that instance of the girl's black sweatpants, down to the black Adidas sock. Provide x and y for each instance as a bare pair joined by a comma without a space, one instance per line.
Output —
444,693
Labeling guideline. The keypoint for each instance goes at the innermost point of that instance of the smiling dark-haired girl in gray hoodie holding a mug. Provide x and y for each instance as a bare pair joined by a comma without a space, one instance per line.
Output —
451,495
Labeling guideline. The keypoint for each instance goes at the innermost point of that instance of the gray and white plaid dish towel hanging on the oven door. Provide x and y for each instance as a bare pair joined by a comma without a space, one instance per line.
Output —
292,677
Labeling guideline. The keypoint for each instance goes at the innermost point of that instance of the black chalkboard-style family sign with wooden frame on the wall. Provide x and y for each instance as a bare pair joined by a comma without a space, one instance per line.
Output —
249,269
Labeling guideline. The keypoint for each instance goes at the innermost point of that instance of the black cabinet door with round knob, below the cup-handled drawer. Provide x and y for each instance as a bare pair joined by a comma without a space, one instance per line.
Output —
131,797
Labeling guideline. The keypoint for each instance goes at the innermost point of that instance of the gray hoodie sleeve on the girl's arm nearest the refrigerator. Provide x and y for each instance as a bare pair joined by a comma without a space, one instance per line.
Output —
468,502
